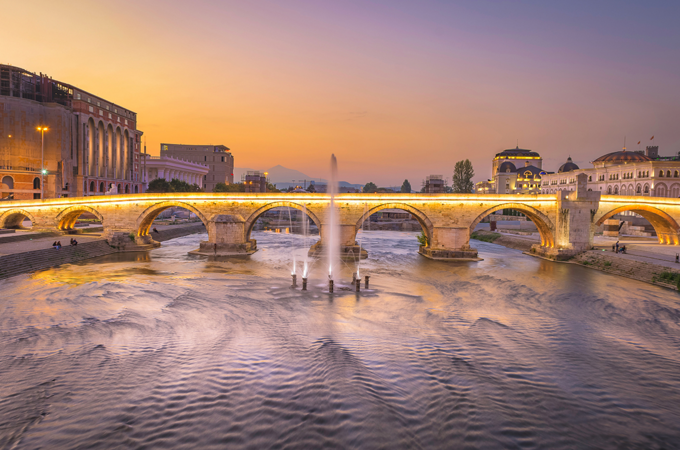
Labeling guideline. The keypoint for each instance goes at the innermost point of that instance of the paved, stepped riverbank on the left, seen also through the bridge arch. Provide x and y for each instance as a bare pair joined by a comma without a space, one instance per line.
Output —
38,254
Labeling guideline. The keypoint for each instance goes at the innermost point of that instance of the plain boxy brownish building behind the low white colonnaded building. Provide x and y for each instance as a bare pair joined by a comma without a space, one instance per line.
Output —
218,158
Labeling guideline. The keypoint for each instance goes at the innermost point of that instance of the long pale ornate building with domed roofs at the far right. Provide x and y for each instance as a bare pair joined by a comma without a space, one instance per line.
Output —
622,173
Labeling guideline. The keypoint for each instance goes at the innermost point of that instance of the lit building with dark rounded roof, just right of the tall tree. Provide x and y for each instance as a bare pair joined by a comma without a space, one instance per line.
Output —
509,177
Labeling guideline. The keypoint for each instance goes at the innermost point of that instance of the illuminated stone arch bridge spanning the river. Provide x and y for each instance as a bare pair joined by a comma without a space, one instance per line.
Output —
566,221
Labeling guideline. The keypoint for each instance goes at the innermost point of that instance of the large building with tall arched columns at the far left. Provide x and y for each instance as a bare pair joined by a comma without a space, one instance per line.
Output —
91,145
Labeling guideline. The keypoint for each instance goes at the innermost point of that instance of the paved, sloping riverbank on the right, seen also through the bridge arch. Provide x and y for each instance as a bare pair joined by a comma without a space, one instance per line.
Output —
645,259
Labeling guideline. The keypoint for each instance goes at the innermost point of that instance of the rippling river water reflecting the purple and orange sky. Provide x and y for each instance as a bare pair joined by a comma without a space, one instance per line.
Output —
170,351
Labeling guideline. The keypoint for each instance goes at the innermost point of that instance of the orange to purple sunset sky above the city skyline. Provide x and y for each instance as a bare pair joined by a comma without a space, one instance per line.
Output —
396,89
